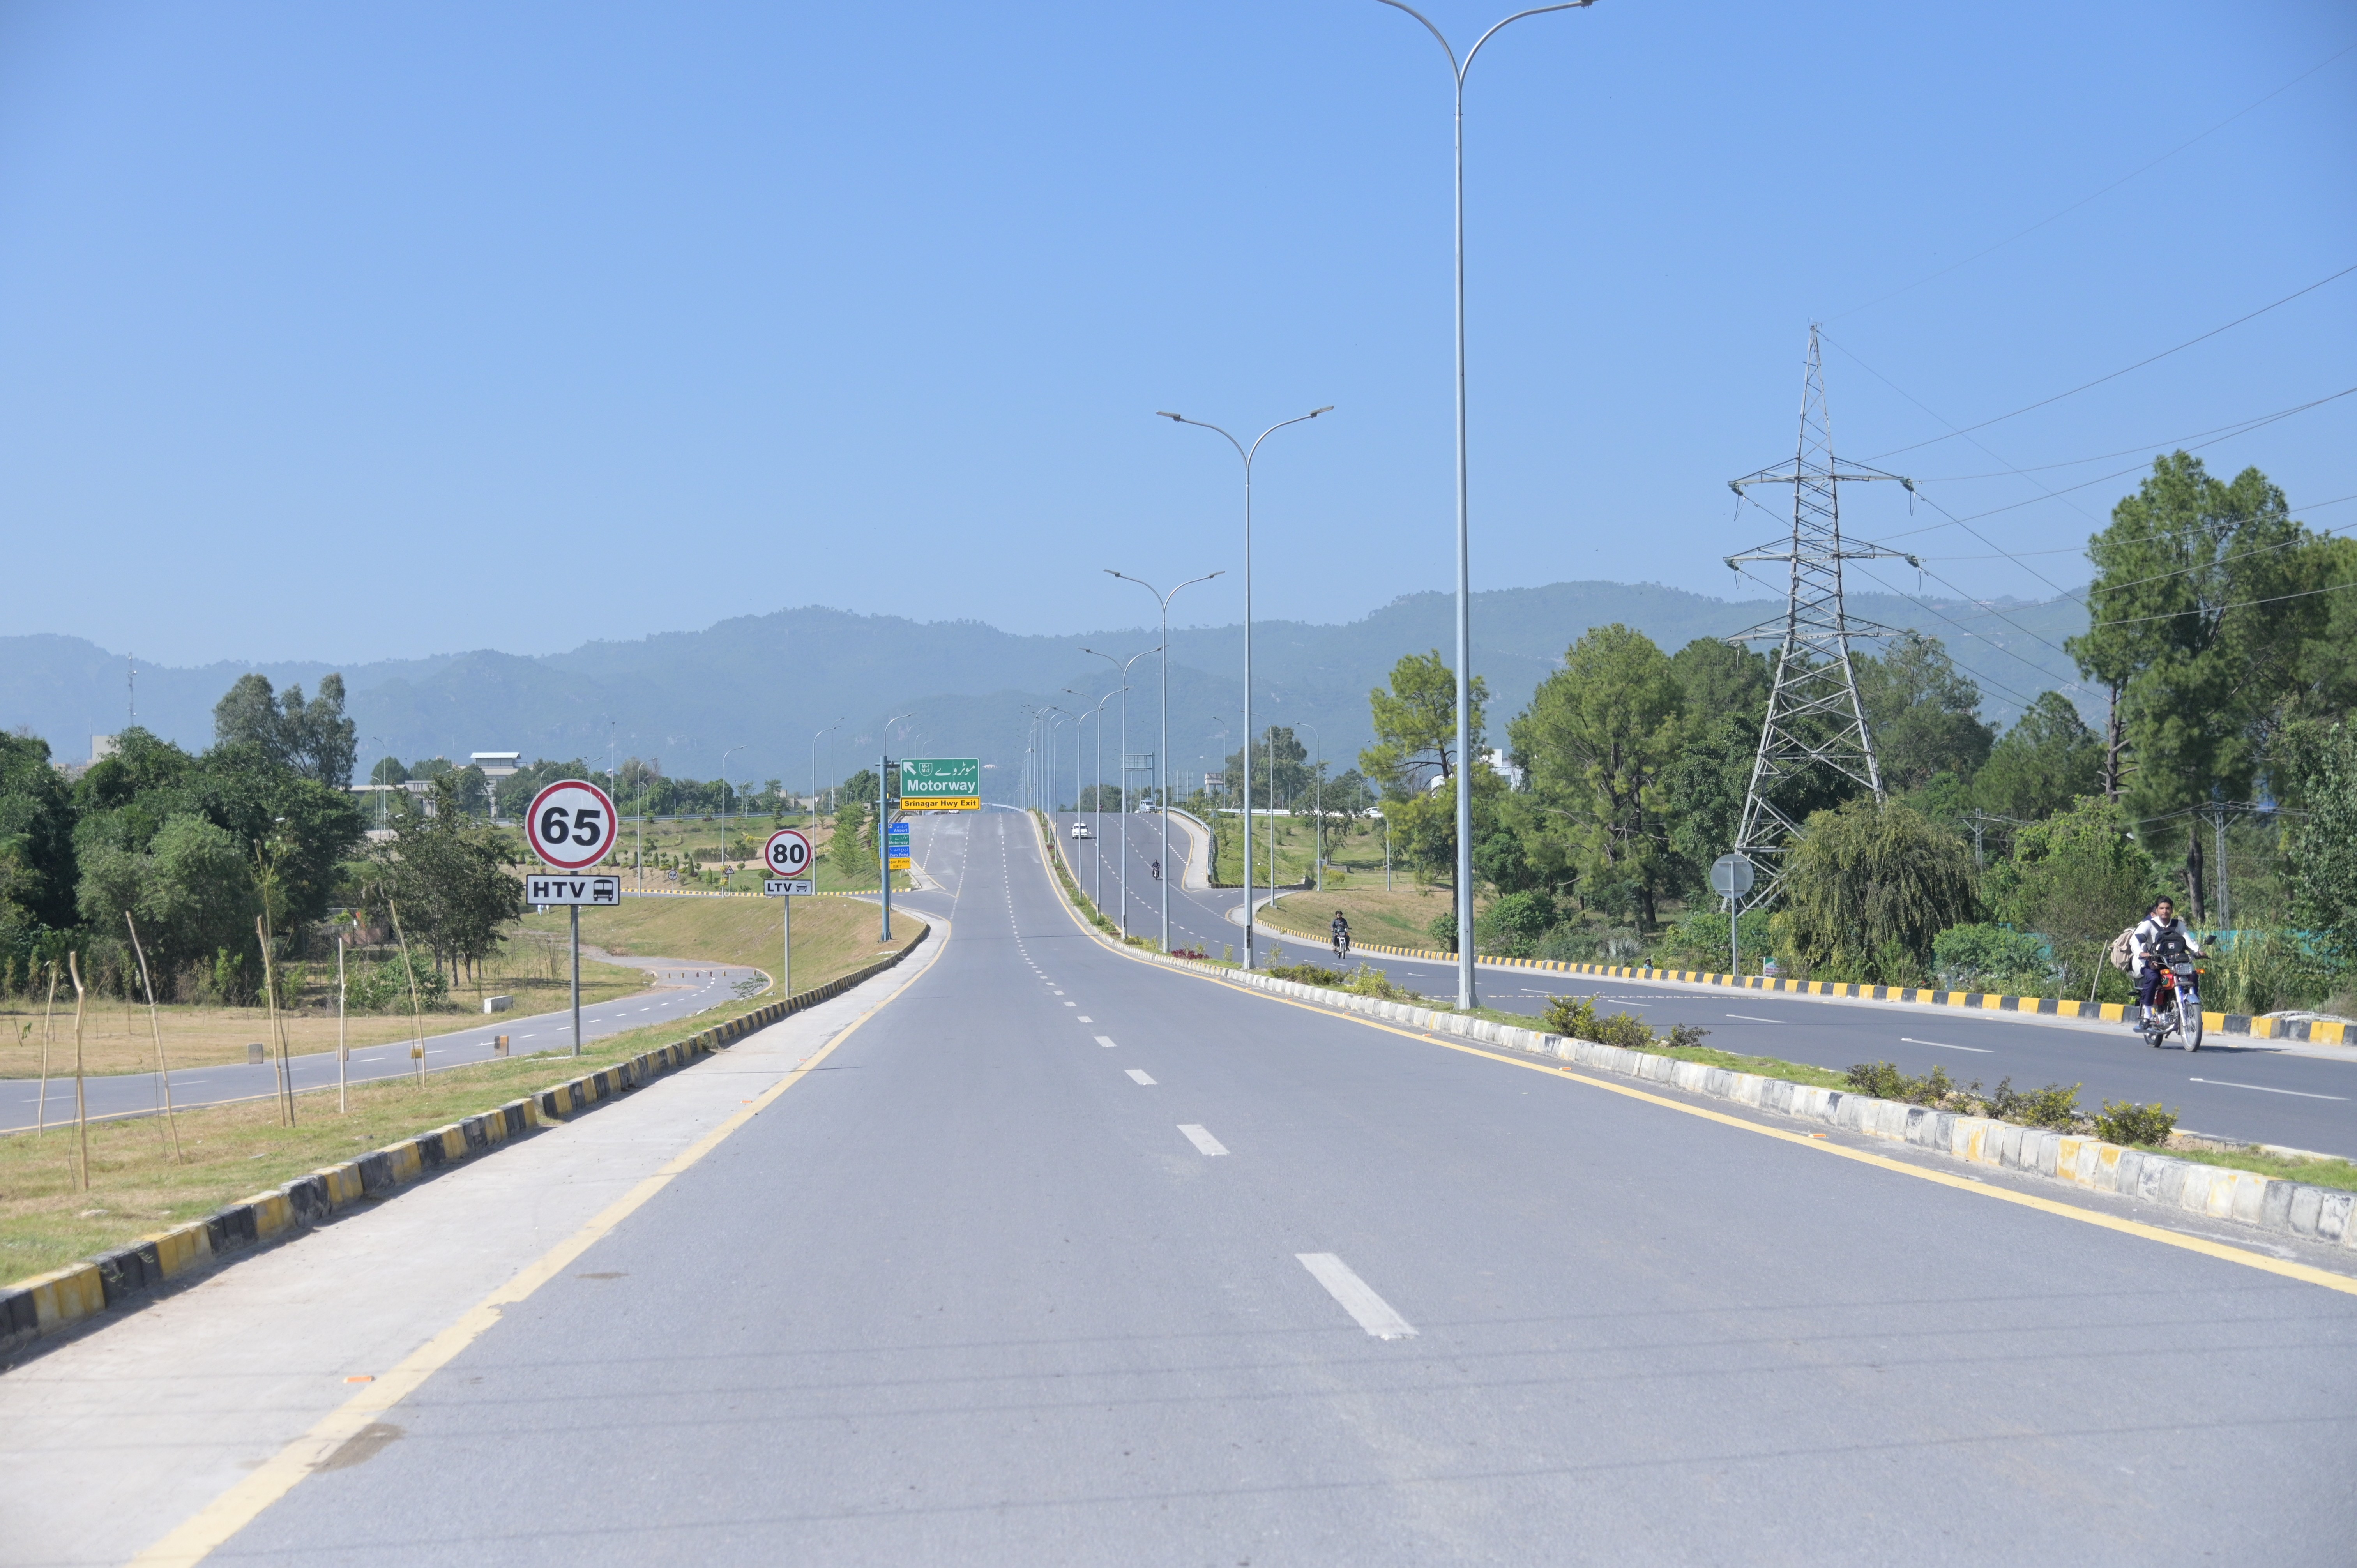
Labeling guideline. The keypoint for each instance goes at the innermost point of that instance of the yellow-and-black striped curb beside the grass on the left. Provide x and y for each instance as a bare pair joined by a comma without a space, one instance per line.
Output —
81,1291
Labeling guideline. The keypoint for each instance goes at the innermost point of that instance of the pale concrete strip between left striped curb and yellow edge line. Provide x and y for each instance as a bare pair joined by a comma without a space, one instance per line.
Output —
112,1439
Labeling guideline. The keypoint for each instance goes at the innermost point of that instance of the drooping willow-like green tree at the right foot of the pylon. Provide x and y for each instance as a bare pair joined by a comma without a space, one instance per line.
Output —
1870,888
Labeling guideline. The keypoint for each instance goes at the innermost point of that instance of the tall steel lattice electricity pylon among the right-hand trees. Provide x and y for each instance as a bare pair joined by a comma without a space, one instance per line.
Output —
1816,718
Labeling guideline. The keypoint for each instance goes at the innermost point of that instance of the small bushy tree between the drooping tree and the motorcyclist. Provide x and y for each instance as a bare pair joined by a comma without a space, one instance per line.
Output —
2078,878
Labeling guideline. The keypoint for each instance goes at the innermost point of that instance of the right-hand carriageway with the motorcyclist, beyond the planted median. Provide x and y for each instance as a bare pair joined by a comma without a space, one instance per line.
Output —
2236,1088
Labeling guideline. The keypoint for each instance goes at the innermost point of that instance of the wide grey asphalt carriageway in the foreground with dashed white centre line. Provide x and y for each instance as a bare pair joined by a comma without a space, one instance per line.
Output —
1074,1260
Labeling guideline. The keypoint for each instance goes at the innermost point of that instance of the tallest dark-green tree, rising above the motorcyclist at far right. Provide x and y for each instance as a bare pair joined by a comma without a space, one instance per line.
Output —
2205,624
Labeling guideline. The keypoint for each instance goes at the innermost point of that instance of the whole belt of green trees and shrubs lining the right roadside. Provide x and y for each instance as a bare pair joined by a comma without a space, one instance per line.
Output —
1998,862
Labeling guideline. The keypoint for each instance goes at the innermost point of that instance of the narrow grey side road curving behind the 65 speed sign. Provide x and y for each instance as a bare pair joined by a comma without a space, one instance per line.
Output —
682,987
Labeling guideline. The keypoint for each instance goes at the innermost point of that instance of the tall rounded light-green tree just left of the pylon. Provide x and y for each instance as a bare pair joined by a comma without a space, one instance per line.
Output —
1597,742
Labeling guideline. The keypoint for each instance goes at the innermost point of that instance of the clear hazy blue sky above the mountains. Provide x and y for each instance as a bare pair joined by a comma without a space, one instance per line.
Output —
352,331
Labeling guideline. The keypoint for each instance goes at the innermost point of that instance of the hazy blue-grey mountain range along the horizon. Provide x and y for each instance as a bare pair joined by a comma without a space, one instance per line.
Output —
762,685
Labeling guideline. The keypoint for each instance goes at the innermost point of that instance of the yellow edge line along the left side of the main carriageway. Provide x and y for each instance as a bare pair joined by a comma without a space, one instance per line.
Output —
282,1473
